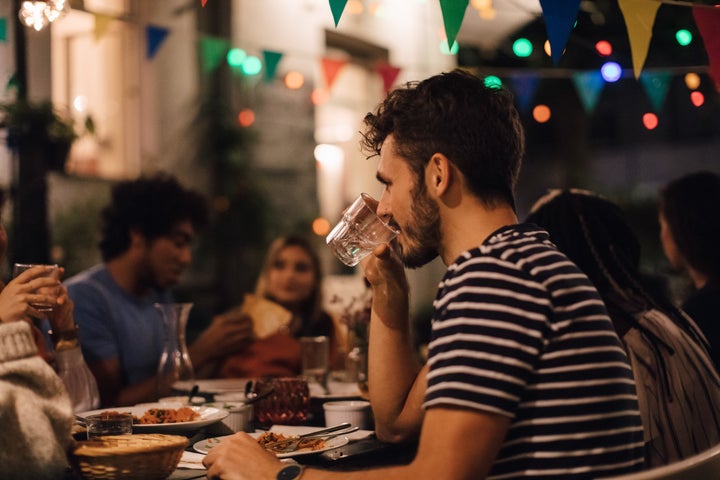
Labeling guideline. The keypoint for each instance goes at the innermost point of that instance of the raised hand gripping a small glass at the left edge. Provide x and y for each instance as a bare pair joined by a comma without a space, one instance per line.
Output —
31,287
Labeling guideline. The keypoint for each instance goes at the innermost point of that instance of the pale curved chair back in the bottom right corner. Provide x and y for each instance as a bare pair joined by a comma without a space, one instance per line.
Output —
703,466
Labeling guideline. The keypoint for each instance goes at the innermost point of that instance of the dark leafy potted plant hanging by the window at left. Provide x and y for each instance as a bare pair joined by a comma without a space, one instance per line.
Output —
39,125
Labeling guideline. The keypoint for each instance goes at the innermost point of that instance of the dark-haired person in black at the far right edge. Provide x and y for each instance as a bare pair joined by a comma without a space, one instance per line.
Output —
689,231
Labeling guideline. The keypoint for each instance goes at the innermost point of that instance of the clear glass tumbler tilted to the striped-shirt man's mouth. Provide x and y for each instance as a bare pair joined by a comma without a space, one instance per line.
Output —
359,231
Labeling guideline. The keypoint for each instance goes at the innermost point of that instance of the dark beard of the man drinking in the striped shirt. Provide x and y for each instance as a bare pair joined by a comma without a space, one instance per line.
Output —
422,235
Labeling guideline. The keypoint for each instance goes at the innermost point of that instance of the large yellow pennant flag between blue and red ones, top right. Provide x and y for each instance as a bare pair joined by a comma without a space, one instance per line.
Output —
639,19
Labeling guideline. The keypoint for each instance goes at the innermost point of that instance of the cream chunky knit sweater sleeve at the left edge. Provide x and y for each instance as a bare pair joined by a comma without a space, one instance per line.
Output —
35,411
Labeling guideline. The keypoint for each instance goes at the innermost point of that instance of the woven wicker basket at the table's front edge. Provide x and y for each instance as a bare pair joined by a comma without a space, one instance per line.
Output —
140,456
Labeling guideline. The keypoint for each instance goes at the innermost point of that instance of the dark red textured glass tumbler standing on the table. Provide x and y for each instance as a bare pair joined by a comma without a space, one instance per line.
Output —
288,404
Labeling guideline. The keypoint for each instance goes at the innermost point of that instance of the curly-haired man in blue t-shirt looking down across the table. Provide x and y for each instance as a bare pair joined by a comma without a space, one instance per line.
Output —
147,234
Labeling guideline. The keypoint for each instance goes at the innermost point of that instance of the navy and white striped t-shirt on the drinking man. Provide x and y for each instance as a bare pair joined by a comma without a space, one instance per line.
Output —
518,330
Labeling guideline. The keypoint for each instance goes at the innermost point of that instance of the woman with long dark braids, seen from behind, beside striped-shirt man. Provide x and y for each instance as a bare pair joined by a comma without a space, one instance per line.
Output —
677,385
